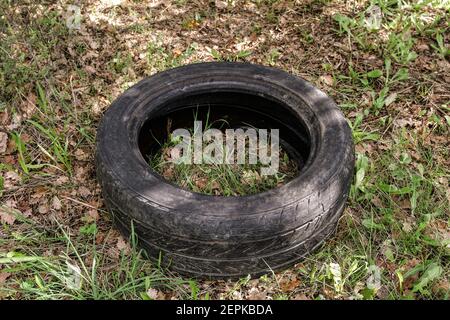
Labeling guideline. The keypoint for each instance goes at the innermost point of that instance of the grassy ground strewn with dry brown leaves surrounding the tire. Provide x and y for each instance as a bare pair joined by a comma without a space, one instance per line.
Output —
385,63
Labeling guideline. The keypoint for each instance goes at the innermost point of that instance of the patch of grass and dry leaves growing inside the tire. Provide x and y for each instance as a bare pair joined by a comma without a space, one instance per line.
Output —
222,179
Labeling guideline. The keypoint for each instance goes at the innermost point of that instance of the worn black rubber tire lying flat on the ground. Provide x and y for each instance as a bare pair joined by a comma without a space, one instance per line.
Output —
213,236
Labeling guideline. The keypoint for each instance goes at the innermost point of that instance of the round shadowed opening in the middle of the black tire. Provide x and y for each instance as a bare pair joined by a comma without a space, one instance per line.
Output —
226,110
